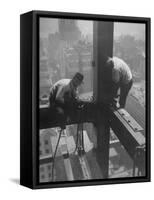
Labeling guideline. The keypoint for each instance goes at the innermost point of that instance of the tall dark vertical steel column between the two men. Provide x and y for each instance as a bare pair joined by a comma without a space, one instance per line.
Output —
103,47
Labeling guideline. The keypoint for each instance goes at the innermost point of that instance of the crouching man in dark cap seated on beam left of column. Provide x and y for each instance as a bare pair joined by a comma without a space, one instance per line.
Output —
64,96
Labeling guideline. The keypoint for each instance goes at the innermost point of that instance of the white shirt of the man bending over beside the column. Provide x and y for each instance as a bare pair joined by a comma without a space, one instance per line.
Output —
121,71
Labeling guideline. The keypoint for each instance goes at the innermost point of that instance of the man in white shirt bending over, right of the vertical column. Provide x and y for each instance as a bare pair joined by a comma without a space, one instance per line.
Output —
121,79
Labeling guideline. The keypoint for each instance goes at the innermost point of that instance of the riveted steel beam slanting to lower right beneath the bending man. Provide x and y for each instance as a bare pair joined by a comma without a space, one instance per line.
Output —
128,132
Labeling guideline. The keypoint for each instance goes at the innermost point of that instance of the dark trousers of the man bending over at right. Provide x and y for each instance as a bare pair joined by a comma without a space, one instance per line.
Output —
124,90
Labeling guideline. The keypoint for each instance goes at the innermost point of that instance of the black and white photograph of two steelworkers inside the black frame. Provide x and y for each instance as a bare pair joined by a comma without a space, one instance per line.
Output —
92,100
